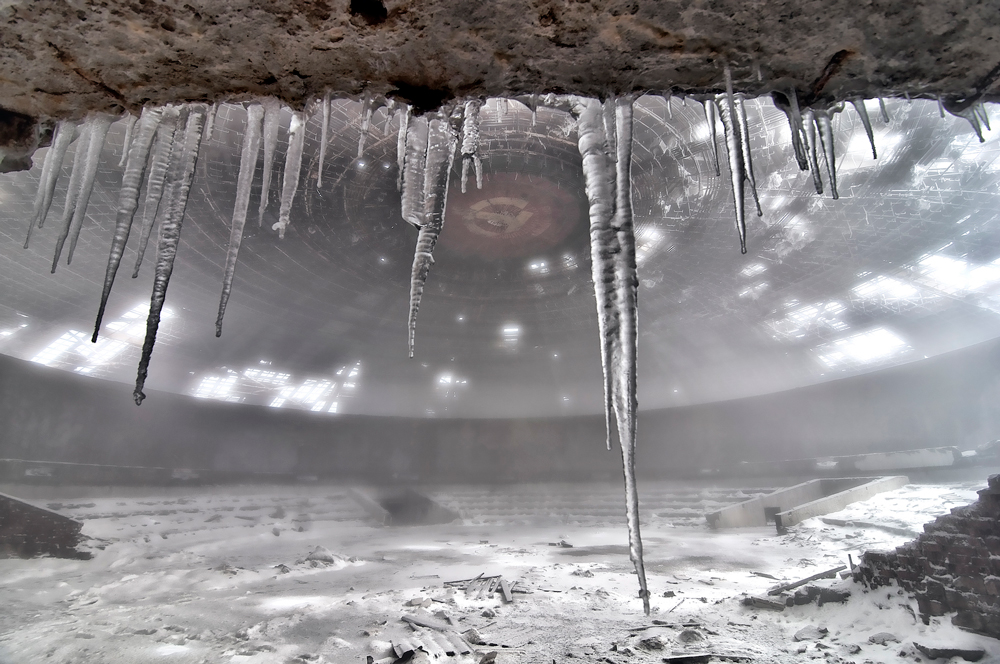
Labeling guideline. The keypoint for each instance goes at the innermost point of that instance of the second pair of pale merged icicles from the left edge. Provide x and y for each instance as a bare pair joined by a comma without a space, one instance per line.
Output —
85,162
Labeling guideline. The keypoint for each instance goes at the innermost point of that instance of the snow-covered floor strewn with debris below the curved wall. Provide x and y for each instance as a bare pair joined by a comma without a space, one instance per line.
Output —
219,575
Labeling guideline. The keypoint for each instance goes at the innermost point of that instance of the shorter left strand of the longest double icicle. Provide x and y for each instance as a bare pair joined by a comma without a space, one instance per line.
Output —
600,186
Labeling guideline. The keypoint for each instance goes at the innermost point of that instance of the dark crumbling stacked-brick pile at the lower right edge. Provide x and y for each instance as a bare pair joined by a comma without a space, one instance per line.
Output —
954,566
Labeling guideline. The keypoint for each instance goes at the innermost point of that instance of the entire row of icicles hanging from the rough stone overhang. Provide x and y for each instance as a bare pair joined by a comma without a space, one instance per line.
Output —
162,145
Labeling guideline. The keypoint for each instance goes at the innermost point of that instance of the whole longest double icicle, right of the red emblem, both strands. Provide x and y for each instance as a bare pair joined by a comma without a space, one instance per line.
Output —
612,247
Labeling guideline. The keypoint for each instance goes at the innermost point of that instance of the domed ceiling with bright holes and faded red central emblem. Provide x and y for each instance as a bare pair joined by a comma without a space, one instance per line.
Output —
906,264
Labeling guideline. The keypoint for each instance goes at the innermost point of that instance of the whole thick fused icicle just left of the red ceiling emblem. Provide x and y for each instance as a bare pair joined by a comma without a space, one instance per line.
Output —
436,136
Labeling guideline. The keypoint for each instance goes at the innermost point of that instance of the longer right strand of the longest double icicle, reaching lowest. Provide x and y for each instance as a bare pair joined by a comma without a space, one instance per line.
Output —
626,287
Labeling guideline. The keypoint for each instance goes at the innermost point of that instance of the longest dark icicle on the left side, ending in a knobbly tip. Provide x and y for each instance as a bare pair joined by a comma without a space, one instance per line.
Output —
181,172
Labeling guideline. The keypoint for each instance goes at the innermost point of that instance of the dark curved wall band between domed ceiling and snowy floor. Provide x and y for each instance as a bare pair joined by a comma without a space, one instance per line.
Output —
54,415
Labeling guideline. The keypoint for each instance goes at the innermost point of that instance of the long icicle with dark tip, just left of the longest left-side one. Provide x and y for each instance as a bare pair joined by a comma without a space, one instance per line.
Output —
128,201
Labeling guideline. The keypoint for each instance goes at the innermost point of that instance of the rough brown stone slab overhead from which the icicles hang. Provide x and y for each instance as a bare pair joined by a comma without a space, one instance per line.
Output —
62,58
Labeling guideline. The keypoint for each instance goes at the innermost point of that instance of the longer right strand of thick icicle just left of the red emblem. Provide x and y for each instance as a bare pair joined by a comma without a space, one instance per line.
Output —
442,139
